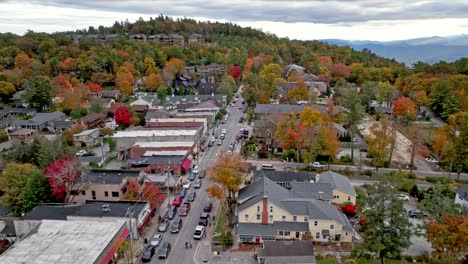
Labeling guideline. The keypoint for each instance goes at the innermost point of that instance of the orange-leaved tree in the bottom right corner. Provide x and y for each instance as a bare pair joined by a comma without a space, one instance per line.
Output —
448,238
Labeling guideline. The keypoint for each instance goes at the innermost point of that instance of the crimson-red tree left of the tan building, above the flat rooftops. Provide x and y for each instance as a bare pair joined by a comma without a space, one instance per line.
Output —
63,176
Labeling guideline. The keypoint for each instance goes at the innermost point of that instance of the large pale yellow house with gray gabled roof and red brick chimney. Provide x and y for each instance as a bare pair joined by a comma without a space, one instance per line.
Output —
267,211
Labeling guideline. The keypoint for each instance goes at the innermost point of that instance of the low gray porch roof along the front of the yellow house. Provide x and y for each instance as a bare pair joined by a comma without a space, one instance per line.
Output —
270,230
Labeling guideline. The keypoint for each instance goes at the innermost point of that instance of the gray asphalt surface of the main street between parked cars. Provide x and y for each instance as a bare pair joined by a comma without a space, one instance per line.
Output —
179,254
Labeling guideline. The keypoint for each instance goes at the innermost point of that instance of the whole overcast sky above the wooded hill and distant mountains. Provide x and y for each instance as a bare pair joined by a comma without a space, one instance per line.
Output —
300,19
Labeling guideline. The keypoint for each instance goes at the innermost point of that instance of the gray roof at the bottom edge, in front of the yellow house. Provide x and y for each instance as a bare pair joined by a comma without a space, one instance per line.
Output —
287,248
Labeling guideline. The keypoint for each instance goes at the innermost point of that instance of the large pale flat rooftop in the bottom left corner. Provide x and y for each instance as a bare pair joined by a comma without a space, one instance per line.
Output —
65,242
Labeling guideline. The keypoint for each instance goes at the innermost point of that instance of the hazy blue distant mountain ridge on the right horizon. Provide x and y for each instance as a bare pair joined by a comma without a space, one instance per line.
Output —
429,50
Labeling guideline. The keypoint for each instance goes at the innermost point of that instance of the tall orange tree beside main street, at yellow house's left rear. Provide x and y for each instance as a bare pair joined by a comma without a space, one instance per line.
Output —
228,174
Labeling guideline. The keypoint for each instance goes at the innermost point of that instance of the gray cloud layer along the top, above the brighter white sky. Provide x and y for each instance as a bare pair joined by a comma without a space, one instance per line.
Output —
315,11
